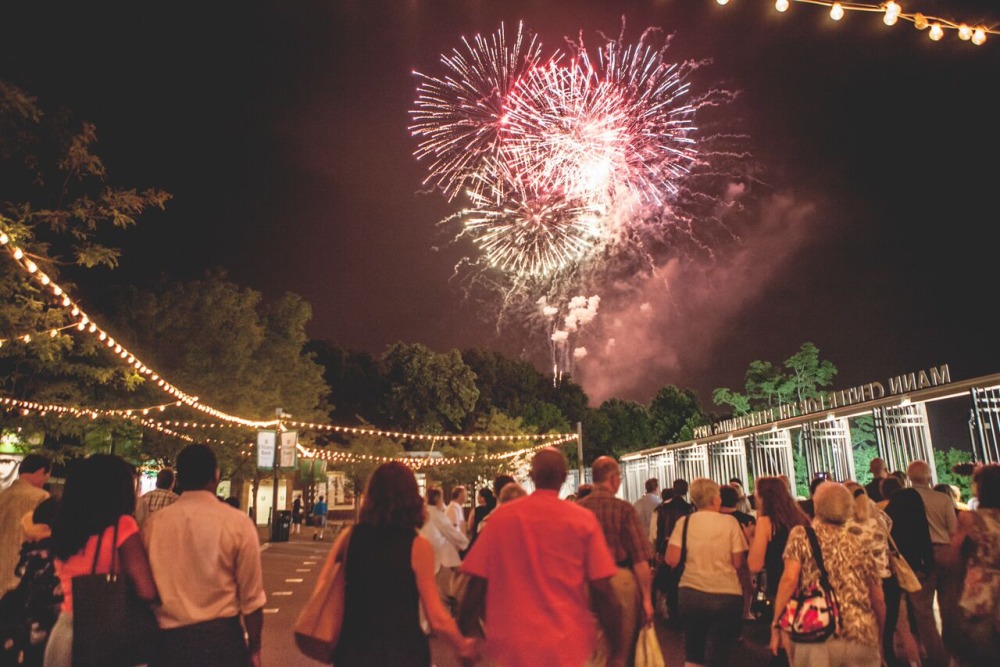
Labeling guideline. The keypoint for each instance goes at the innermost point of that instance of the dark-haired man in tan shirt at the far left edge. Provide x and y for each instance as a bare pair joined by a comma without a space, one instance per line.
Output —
17,500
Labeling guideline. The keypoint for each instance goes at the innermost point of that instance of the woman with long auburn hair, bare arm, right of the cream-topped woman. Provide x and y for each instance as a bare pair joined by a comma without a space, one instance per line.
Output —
777,514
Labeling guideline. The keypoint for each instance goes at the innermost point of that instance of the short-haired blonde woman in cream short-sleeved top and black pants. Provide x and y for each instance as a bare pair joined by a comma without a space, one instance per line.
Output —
710,596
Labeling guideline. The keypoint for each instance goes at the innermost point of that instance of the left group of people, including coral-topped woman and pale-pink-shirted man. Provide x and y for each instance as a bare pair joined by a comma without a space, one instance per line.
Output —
192,560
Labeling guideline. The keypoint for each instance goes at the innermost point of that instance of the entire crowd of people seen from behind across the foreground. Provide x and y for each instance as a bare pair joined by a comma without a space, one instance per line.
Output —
524,579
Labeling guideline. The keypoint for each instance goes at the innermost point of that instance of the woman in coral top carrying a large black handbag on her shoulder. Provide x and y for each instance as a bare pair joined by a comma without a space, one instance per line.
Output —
94,532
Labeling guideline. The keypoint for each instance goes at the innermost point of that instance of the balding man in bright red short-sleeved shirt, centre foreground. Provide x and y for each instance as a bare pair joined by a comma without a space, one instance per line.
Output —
538,556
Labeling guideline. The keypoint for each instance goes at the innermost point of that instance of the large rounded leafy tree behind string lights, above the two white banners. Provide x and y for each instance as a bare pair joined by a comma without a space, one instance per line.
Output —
225,344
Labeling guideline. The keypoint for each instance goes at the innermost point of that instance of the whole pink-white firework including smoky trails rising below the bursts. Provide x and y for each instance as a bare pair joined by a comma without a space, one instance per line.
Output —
576,168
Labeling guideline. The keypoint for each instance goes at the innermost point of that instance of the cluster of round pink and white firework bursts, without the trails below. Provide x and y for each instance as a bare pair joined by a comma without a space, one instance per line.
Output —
550,152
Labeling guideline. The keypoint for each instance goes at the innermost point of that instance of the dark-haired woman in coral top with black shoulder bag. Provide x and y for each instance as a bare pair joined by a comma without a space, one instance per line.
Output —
99,496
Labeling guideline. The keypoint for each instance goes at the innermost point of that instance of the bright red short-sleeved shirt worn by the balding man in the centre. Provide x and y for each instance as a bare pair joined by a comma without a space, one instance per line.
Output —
538,554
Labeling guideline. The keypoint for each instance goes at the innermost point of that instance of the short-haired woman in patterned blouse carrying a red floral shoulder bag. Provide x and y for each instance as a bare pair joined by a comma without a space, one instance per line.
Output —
854,576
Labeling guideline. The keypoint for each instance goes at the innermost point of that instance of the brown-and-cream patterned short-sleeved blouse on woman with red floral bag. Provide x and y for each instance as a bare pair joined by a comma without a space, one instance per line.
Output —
851,568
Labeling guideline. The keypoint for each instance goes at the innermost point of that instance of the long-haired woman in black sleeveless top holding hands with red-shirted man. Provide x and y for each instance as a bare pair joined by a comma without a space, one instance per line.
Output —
389,576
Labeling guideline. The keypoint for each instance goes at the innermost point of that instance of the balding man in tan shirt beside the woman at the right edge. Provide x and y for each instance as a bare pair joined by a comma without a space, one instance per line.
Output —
942,523
